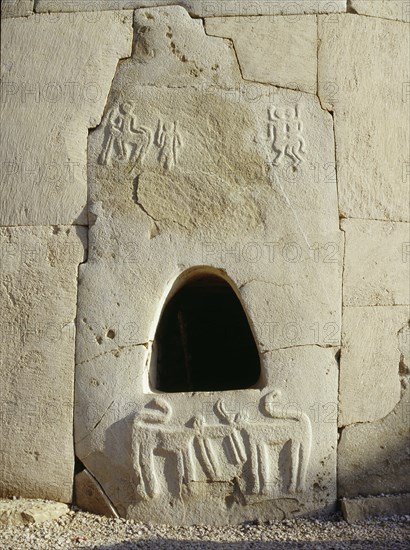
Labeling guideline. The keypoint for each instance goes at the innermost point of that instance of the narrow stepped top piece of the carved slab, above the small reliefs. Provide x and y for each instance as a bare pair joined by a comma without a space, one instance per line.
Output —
169,56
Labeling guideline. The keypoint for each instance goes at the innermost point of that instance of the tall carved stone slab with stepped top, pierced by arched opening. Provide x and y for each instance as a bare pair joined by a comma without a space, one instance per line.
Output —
188,175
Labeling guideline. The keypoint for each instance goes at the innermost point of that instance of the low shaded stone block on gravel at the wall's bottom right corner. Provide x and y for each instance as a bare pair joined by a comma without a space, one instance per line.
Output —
360,509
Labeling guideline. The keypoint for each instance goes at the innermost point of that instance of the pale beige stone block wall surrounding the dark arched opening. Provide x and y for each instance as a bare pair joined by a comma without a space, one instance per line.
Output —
264,142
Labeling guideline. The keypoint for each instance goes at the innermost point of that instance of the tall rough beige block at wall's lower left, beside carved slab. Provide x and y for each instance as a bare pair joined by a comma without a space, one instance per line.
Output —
38,298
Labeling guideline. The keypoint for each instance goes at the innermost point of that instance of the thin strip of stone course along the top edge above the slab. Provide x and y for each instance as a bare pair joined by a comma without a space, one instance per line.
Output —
202,8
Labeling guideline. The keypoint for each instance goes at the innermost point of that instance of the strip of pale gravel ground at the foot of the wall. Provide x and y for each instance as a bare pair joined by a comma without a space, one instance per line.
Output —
87,531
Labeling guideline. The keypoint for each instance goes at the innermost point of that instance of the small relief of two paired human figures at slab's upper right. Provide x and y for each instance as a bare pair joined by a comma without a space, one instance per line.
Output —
285,131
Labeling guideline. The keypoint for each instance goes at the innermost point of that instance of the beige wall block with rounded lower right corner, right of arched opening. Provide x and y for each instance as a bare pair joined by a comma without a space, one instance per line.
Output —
375,342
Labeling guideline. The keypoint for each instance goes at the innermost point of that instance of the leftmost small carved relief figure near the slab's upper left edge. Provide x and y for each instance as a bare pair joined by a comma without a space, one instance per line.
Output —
124,139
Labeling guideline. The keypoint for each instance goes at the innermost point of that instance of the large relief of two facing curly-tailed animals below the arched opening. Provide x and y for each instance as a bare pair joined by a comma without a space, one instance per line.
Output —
233,447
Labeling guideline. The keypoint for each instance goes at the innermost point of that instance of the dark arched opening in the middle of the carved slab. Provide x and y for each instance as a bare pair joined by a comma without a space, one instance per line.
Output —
204,341
